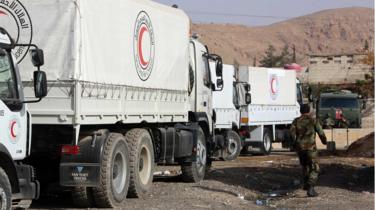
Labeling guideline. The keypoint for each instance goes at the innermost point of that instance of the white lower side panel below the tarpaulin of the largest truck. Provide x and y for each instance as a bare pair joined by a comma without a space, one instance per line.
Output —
75,102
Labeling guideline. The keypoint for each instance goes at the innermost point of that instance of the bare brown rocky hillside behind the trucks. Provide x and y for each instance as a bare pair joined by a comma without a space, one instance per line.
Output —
325,32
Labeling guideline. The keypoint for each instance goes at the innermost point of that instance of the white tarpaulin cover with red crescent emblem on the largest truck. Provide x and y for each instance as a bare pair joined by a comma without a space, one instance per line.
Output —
123,42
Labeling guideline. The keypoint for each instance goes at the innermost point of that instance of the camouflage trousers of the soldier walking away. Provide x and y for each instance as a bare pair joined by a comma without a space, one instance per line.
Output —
310,166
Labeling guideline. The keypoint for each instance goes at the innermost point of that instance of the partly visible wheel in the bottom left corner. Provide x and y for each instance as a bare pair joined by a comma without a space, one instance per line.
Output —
5,191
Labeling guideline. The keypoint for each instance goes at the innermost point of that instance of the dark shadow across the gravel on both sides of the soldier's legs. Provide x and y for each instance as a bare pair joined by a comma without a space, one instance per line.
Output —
286,178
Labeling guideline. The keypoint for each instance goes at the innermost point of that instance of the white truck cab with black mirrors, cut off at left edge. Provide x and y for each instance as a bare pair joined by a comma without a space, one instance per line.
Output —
18,186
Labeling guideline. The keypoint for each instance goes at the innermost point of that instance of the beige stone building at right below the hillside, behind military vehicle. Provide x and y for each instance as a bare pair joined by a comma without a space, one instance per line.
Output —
337,69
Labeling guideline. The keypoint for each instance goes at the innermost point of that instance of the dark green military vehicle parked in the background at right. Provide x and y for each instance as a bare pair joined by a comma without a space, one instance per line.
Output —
339,109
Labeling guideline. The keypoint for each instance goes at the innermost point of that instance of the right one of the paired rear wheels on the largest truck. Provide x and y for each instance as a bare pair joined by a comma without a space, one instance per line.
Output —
141,162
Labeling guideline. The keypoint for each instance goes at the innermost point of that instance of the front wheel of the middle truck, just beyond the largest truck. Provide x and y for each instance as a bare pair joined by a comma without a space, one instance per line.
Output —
233,148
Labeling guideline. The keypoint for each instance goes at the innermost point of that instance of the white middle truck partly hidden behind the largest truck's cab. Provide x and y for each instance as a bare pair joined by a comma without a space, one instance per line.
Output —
227,104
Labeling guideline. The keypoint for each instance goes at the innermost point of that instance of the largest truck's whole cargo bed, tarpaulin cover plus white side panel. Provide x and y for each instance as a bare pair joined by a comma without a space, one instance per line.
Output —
93,68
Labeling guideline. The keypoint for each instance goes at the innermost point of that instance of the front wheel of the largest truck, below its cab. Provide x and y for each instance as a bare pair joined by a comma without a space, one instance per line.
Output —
195,171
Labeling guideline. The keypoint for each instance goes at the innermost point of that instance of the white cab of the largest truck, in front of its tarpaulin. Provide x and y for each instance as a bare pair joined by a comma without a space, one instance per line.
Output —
201,91
